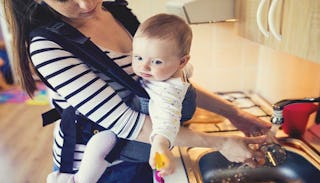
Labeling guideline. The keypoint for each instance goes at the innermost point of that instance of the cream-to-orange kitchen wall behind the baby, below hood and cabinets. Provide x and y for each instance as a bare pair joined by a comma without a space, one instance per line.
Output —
224,61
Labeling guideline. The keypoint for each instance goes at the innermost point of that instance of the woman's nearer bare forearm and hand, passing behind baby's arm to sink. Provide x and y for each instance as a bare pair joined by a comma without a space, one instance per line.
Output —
234,148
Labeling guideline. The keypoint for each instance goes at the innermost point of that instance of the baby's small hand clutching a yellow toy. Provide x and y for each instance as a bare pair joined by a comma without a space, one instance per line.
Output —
161,145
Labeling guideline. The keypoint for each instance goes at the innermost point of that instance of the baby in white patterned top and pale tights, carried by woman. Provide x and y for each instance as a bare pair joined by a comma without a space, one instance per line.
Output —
160,54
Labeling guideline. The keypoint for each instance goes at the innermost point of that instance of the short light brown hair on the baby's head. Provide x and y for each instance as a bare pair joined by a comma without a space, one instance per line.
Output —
169,27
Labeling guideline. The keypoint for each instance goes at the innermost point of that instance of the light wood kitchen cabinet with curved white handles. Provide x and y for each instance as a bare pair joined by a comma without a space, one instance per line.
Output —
297,23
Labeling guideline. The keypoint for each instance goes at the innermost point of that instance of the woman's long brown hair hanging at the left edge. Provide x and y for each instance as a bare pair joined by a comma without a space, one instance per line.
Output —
23,16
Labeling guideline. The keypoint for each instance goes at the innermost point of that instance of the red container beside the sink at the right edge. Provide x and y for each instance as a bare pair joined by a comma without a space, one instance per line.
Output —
296,118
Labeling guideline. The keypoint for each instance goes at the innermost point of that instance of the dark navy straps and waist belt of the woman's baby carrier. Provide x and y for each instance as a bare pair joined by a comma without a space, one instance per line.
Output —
75,42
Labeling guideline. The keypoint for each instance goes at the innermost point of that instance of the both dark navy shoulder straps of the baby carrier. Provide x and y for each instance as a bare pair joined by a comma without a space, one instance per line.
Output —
82,47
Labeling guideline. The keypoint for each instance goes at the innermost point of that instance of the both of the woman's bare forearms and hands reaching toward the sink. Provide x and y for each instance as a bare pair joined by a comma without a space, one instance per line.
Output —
241,119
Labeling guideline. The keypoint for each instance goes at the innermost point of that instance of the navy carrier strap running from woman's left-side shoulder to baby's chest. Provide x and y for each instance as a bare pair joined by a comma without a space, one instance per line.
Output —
88,52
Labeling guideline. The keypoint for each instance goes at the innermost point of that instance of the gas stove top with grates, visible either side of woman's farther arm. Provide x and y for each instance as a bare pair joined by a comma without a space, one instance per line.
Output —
206,121
